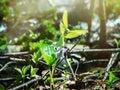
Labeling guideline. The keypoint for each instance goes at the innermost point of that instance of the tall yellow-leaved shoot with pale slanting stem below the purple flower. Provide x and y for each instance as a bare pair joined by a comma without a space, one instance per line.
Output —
68,34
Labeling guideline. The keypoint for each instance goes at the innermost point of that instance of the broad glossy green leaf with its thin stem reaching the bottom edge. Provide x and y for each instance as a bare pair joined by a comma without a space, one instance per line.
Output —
48,54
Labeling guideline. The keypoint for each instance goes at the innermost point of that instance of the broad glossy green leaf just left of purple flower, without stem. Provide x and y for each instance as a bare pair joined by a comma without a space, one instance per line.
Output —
48,53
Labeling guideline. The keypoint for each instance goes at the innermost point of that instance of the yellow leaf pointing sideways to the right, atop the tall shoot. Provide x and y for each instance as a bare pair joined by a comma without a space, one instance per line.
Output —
75,33
